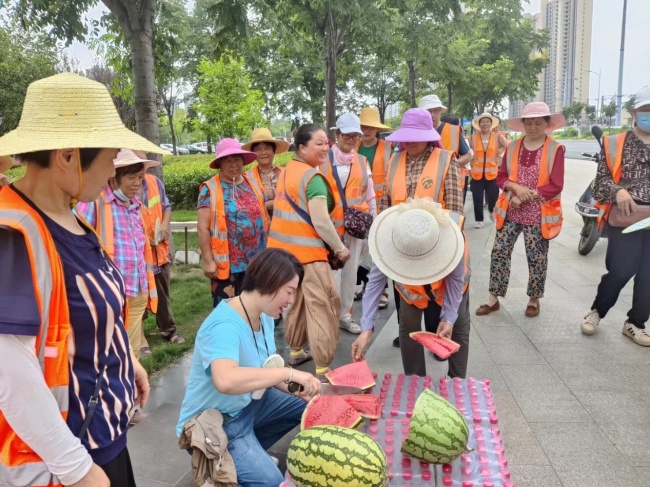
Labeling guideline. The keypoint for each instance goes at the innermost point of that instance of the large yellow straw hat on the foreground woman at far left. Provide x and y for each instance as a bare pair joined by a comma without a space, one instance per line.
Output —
68,111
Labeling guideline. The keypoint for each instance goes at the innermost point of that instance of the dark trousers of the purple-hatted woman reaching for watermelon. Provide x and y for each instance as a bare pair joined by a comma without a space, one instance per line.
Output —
413,353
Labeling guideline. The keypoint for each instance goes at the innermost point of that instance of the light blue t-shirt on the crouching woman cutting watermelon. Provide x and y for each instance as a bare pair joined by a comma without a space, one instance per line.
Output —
224,335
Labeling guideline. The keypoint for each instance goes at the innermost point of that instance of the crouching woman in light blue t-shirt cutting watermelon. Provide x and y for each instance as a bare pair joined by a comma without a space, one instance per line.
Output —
231,346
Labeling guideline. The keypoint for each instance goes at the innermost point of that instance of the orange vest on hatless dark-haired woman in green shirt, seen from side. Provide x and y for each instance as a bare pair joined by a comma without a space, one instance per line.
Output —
289,231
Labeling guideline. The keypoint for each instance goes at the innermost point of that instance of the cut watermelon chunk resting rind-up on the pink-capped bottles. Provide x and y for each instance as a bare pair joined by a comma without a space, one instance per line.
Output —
439,433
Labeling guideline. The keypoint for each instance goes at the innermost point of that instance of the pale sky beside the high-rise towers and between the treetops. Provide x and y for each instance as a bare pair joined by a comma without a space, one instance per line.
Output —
605,45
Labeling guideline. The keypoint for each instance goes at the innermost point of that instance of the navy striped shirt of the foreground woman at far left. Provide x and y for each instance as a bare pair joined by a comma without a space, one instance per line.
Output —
96,296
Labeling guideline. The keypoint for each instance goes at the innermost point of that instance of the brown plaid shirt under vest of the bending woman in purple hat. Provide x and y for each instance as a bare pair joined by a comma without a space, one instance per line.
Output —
453,193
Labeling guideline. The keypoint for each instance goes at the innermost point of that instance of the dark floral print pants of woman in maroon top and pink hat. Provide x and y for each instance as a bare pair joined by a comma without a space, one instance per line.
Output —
536,254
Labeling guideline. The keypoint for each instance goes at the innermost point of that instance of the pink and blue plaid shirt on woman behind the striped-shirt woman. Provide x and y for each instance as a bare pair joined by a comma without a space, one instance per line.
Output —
129,240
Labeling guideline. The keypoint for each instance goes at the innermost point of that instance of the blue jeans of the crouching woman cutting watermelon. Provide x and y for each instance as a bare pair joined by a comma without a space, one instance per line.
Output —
258,427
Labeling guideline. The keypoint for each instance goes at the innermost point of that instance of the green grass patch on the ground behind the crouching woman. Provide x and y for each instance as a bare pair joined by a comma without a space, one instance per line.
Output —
191,304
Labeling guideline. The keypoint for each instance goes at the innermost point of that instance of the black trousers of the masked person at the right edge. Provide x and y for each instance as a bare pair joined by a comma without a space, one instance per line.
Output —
628,255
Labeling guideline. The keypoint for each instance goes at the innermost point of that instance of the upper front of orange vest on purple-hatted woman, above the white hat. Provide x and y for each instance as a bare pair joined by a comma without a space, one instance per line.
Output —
431,183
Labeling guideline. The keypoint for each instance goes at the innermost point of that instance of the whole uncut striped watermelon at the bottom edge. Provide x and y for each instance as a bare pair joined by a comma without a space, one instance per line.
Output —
332,456
